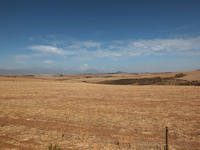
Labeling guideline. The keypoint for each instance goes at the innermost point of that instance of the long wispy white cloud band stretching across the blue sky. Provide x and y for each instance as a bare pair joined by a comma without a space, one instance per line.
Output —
114,50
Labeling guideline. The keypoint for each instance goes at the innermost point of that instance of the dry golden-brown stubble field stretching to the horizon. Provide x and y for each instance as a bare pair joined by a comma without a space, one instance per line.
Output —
77,115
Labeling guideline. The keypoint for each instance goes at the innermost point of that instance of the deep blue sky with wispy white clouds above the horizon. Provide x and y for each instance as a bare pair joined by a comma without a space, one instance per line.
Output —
106,35
